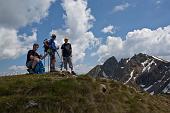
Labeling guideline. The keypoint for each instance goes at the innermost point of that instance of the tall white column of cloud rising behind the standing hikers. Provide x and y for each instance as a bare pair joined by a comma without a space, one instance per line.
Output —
78,22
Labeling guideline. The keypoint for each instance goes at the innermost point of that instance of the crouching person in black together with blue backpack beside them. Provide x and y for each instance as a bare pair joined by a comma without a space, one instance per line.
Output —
33,58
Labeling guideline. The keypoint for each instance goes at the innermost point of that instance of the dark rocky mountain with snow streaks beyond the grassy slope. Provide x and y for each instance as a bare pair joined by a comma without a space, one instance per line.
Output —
142,71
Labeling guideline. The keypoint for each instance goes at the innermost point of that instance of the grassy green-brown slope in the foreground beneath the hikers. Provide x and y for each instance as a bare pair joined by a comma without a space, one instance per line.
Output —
53,94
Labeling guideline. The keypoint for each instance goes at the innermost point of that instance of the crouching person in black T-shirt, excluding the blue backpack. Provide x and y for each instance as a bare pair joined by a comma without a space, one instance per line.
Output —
32,58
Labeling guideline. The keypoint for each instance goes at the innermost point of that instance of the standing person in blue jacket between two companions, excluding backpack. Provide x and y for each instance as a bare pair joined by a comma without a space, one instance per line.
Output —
53,49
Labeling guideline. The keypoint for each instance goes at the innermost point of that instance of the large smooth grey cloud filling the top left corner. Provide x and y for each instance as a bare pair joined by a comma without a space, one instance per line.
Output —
19,13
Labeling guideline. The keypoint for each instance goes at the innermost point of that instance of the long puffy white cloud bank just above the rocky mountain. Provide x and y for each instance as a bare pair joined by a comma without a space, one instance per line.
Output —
152,42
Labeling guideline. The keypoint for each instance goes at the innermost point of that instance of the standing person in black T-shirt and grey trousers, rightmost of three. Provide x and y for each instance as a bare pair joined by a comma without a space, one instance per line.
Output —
67,55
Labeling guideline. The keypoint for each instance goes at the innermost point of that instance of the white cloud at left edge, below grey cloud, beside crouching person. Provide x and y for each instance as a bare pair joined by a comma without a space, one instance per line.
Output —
11,45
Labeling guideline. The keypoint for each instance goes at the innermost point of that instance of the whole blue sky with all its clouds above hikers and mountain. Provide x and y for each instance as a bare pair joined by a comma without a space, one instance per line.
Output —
97,30
